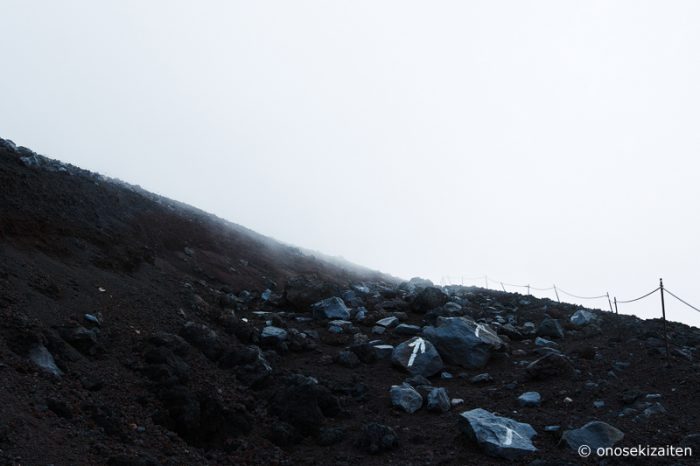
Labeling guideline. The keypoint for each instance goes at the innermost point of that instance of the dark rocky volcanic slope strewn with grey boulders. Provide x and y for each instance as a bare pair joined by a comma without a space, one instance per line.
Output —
140,331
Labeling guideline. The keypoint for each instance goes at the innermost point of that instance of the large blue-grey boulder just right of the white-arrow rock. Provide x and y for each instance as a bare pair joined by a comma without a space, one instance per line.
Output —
462,341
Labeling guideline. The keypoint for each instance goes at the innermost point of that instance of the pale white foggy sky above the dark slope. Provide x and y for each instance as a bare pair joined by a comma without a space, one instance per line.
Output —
537,142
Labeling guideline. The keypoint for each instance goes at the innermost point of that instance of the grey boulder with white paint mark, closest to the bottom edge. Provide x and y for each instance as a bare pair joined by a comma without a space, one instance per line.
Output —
496,435
